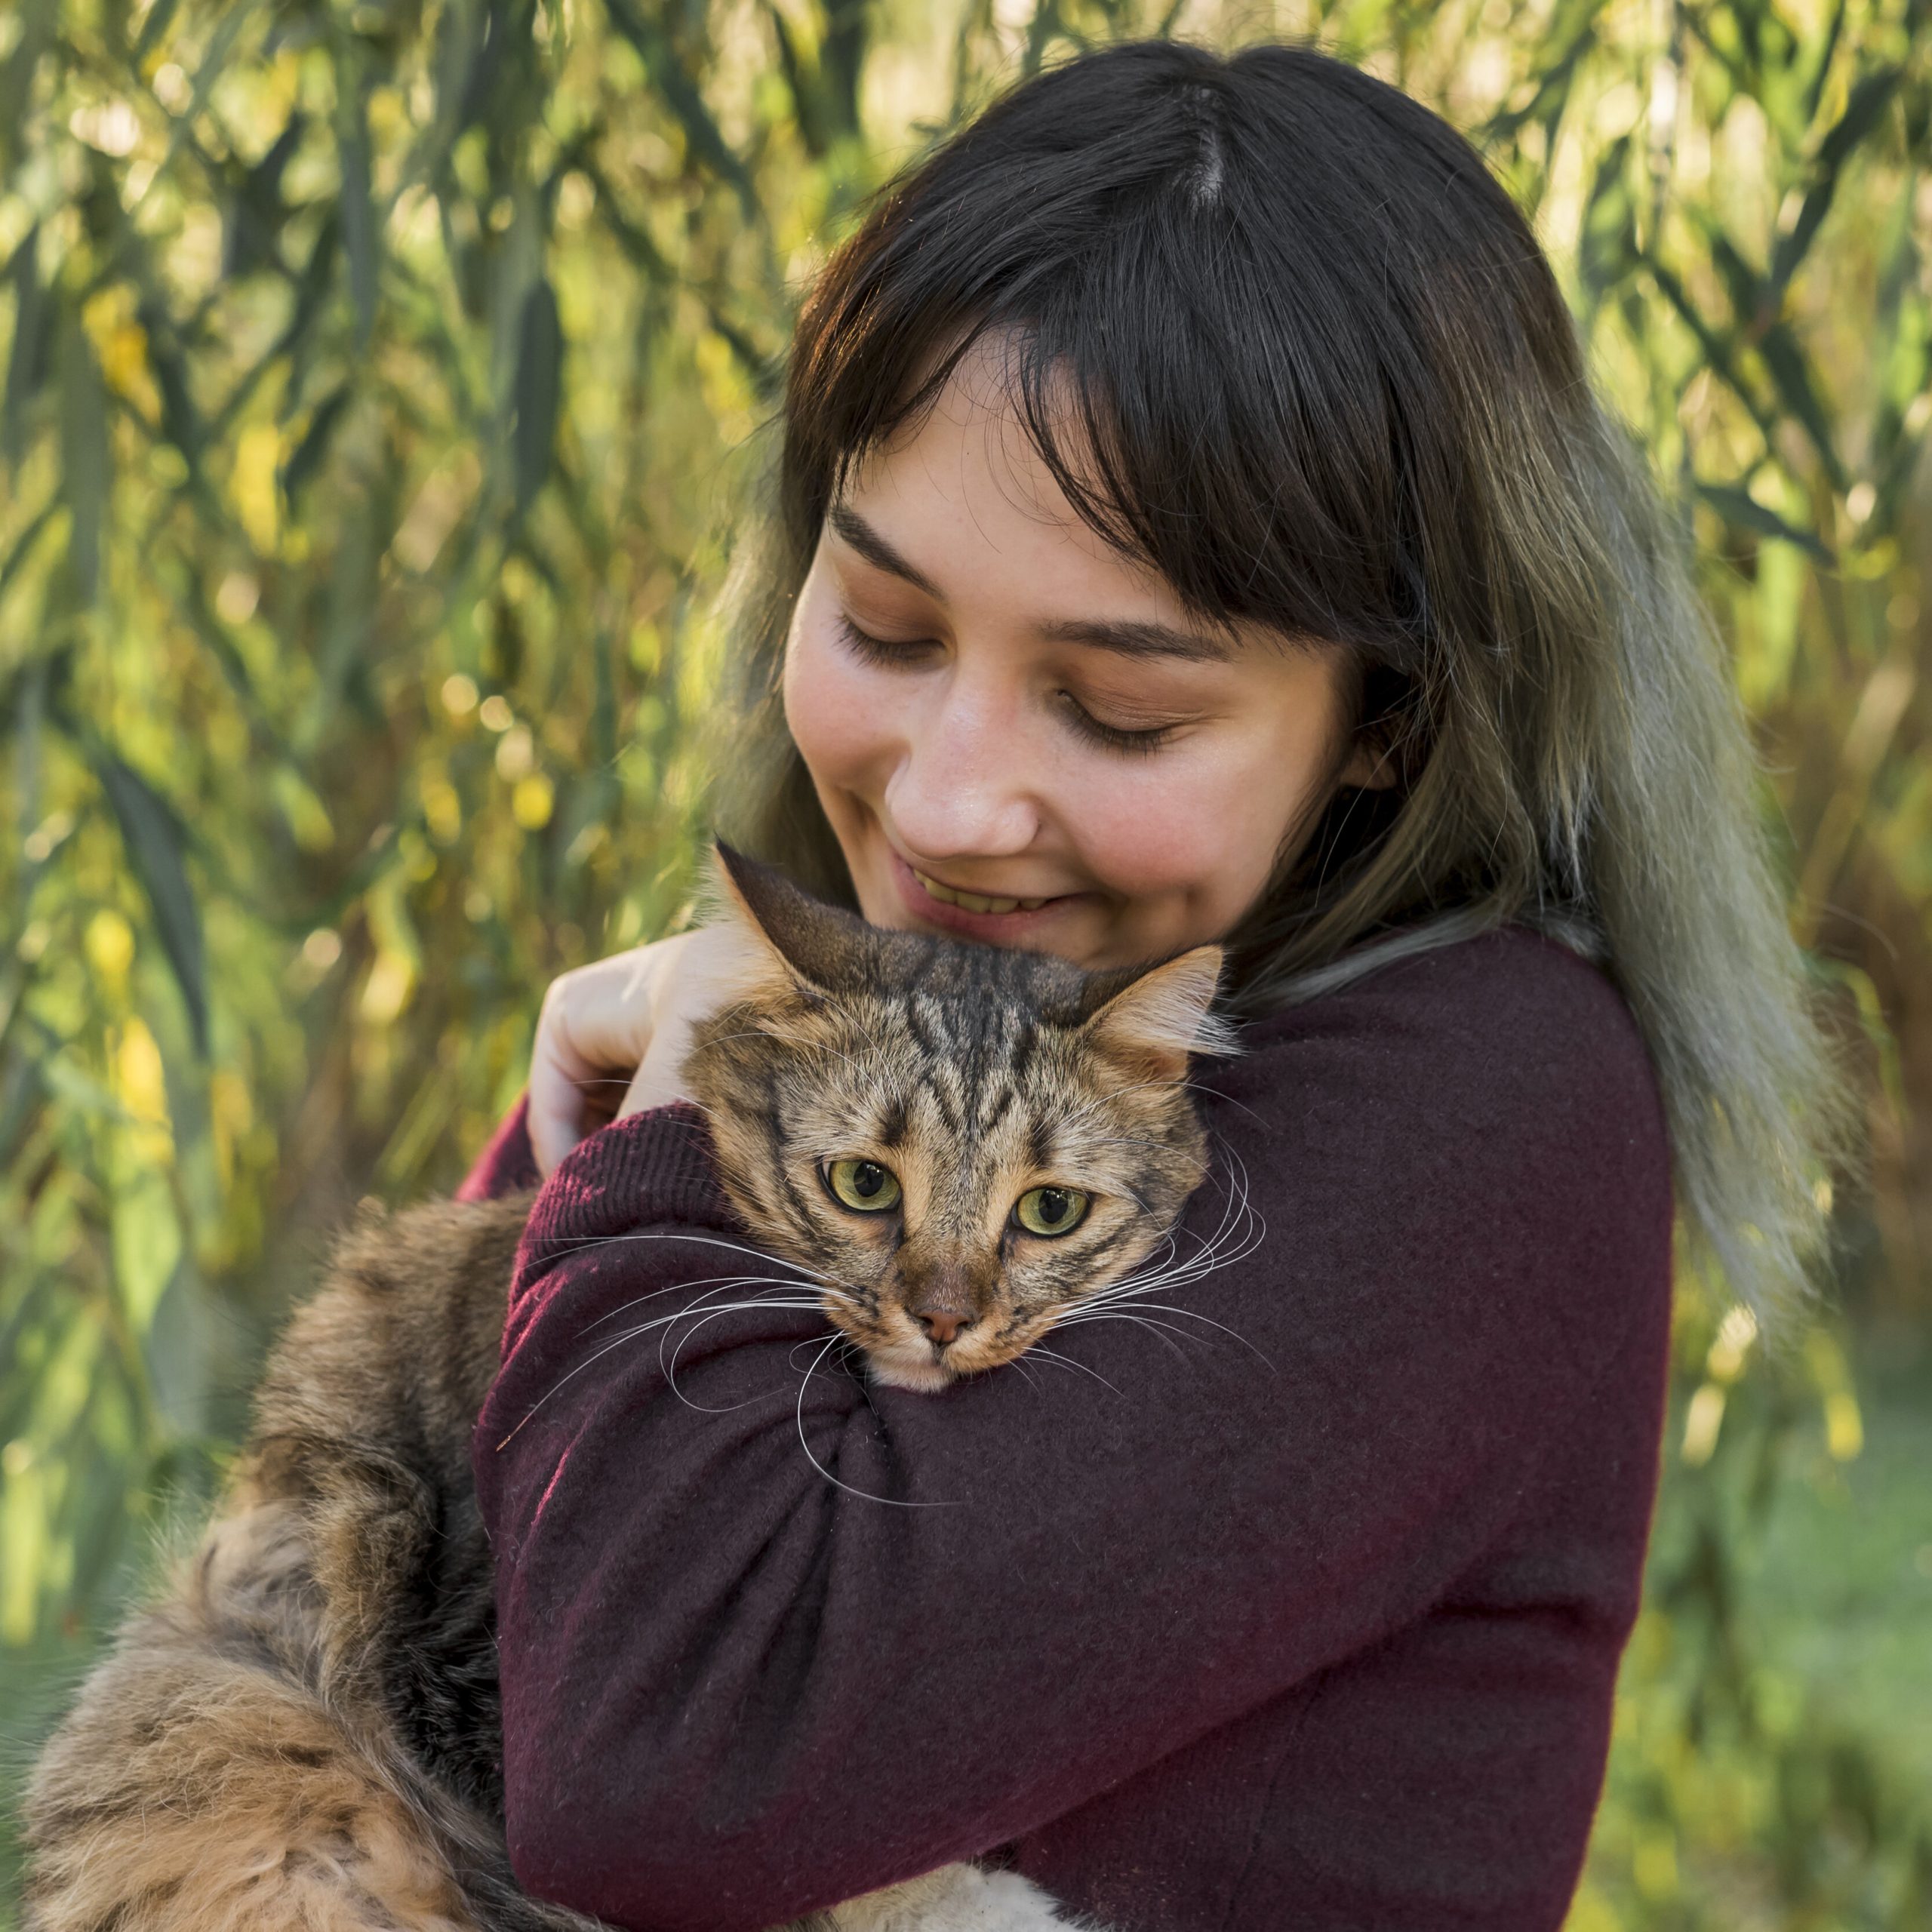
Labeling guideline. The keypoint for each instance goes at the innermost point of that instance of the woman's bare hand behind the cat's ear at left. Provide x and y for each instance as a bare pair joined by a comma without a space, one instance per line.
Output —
623,1027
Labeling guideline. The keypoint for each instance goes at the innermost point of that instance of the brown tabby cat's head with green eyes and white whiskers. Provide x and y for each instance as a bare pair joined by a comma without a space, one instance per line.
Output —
959,1143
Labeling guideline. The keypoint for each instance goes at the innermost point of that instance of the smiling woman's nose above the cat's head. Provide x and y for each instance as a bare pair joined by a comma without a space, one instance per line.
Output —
965,785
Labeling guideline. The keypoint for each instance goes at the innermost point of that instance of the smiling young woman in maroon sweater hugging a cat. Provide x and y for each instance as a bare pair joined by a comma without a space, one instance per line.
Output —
1195,525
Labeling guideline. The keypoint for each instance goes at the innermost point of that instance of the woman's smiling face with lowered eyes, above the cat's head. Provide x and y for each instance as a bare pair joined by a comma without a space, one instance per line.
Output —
1019,735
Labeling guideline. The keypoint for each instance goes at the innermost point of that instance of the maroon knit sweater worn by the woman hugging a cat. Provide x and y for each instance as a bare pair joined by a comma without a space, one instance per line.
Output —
1299,1632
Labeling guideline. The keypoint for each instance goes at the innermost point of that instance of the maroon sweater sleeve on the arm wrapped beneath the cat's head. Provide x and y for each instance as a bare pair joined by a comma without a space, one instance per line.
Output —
774,1637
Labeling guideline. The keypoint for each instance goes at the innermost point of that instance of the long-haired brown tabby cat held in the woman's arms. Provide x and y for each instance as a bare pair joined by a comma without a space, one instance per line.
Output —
302,1730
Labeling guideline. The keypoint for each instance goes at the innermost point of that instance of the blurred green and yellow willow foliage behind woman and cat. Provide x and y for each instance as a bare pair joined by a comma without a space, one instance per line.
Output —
382,380
